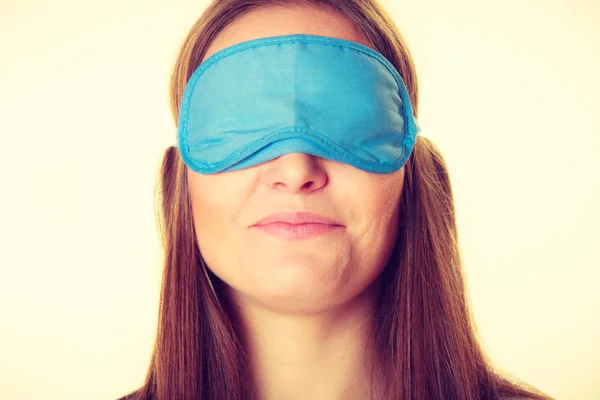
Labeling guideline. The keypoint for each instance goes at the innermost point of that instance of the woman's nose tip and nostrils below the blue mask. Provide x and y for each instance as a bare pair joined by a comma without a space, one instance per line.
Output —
294,173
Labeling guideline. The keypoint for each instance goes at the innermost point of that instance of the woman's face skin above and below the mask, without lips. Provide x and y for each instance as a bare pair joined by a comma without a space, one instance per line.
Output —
295,274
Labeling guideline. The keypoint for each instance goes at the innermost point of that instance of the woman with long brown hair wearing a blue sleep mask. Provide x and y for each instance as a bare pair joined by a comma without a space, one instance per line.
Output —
305,263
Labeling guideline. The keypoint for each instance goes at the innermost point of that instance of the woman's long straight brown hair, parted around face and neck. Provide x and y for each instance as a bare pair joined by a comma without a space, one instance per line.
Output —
424,334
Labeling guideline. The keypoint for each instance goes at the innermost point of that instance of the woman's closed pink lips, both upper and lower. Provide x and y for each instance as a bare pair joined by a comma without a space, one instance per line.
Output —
299,225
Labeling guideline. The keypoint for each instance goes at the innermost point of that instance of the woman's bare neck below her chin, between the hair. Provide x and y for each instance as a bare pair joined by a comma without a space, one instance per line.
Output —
325,355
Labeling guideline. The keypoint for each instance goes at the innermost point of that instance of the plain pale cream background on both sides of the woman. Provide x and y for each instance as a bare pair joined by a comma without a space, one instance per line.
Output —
509,92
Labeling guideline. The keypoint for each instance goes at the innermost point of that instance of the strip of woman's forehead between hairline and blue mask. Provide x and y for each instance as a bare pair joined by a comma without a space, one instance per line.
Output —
271,21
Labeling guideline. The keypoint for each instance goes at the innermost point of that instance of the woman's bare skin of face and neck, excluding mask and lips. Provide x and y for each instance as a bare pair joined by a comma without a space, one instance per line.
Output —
305,305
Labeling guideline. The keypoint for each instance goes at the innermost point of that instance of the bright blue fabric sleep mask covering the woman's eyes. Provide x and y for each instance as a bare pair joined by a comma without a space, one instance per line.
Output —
264,98
